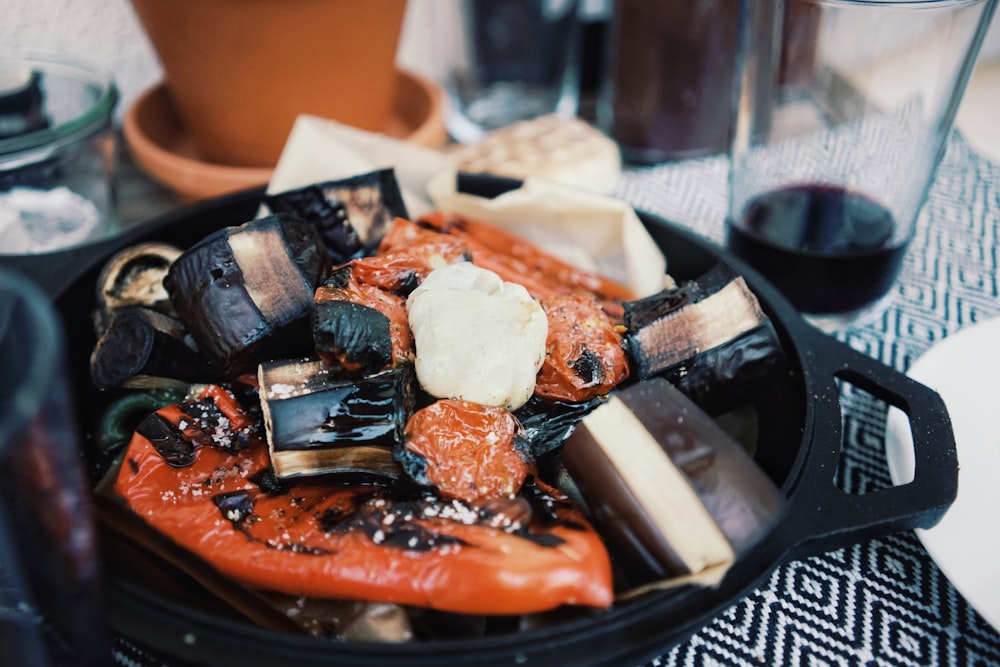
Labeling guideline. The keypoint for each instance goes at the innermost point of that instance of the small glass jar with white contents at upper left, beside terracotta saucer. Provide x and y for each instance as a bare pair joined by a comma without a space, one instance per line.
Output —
58,154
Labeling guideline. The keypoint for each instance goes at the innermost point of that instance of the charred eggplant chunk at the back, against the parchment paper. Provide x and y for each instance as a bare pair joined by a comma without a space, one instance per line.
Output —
350,214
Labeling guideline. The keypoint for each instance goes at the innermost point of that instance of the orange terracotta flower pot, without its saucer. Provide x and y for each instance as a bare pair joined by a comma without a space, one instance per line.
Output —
240,71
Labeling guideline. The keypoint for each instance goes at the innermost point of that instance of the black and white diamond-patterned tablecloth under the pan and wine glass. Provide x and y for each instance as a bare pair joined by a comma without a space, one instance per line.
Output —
882,602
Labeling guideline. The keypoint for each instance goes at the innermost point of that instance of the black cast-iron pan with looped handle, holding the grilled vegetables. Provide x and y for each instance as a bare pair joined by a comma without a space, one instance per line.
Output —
799,445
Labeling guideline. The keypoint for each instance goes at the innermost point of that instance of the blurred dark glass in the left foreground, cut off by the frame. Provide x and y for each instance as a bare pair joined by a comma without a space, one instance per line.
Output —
51,610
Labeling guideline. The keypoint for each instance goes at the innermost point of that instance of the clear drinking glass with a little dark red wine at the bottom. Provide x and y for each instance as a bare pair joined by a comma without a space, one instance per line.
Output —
830,168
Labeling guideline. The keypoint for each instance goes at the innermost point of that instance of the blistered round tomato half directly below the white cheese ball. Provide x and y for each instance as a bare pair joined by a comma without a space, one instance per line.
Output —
466,450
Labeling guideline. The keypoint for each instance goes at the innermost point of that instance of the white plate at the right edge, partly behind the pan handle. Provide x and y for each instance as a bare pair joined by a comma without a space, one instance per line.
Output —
965,369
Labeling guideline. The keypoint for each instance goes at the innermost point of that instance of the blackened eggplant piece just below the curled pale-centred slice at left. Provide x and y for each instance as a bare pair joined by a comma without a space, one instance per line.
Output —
144,349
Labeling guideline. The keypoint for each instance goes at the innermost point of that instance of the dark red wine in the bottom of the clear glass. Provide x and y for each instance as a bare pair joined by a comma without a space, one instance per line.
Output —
828,250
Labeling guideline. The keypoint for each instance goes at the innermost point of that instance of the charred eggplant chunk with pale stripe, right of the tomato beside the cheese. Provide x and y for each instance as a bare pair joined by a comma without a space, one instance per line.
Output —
708,336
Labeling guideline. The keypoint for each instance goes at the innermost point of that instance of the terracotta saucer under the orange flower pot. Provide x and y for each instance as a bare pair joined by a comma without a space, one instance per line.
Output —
164,149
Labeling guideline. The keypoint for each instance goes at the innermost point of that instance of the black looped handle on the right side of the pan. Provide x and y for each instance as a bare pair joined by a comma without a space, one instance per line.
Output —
823,517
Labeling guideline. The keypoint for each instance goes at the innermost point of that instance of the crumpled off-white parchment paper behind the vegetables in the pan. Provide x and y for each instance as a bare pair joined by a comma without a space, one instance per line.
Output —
592,231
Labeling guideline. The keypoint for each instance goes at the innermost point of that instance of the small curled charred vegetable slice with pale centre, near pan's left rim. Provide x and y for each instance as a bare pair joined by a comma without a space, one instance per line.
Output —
134,277
